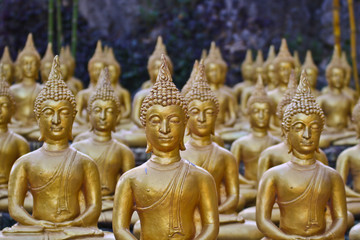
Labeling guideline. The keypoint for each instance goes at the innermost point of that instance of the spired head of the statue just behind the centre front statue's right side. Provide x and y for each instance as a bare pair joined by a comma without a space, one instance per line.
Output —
203,105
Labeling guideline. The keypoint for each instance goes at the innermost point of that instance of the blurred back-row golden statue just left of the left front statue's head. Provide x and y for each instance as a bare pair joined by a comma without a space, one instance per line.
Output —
25,92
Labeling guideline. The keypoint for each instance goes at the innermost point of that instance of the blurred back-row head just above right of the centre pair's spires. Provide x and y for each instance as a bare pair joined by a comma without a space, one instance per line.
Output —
215,66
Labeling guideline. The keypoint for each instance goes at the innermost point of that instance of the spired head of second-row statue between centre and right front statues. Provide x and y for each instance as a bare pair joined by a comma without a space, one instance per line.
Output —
259,106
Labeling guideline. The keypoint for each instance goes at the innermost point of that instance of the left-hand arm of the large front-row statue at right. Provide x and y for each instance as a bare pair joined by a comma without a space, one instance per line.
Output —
264,205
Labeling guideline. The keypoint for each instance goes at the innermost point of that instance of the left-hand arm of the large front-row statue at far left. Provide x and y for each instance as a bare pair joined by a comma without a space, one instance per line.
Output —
18,187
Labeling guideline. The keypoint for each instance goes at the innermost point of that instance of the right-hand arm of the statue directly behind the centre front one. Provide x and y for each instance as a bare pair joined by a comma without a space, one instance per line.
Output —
231,186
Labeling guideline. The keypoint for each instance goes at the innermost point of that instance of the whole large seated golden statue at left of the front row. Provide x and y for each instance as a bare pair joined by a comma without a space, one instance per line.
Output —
55,174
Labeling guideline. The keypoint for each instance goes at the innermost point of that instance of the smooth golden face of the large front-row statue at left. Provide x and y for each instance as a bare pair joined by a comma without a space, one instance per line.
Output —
56,119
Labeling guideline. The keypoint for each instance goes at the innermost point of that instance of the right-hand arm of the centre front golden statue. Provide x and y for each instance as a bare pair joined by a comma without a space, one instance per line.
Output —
208,206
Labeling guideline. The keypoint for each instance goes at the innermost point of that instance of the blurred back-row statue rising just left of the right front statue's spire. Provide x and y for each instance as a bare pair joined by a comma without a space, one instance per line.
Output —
284,62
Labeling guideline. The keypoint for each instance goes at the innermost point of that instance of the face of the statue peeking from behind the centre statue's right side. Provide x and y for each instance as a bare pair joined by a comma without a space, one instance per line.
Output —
202,117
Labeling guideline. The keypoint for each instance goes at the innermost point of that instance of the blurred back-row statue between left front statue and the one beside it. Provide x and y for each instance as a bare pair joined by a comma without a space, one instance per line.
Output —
95,65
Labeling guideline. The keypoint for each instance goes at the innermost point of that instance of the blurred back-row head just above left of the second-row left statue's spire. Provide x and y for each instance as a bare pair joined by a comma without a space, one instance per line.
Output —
96,63
